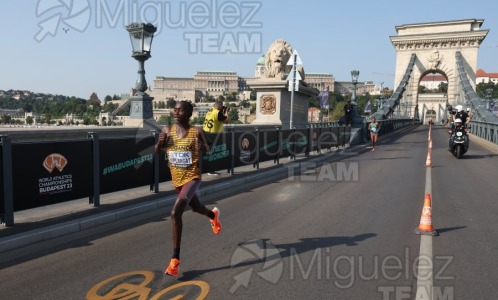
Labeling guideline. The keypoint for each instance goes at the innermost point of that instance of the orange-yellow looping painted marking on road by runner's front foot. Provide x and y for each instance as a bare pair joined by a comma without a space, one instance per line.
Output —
134,285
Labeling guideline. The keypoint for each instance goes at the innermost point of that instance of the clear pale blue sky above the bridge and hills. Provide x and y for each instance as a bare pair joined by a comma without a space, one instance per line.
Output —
77,47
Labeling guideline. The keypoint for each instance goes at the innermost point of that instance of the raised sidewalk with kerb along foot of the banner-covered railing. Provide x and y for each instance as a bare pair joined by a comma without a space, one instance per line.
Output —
43,223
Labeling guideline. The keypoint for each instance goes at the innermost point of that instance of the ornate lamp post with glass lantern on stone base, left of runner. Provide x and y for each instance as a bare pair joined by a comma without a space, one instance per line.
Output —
141,36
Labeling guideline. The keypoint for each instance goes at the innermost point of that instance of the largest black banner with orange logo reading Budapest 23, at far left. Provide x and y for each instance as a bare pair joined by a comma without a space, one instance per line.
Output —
48,173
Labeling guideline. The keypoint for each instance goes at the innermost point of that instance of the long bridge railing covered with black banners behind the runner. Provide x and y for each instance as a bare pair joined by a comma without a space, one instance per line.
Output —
40,173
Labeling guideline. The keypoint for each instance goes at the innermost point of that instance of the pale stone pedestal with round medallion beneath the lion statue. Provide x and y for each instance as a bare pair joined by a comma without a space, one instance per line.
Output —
273,103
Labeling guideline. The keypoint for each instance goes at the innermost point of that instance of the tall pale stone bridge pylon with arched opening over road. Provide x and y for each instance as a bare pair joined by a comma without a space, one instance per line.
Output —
435,45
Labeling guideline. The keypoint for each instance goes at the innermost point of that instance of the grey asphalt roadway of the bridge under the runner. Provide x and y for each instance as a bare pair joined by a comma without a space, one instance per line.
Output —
343,230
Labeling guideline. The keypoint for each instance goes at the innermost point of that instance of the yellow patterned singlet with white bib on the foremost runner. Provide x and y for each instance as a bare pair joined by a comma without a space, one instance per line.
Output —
183,157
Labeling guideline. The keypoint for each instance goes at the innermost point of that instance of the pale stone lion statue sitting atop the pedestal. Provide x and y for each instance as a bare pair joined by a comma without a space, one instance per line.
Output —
276,59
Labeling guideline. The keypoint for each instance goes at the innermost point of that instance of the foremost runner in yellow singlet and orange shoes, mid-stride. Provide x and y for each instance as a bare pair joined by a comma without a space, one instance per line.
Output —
183,144
